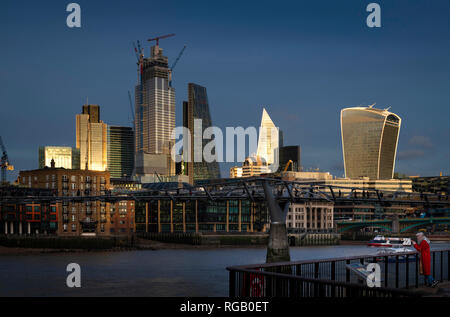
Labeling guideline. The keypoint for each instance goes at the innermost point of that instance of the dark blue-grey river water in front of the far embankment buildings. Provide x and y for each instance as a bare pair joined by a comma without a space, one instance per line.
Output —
189,272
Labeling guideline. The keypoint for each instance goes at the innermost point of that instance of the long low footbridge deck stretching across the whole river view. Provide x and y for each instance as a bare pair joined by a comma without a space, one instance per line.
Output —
244,188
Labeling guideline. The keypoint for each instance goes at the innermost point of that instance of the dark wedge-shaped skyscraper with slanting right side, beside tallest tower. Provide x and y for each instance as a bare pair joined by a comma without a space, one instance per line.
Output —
198,108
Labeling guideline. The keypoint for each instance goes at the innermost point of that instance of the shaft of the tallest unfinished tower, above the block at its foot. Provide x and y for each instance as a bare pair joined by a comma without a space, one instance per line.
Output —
155,105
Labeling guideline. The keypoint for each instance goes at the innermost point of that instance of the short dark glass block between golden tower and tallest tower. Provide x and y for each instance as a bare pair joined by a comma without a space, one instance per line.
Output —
120,151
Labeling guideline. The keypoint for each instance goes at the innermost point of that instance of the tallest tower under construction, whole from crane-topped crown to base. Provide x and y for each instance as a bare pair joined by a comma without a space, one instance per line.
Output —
154,114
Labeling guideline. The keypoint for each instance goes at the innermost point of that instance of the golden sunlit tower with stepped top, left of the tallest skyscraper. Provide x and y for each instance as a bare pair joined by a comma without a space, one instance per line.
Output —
91,138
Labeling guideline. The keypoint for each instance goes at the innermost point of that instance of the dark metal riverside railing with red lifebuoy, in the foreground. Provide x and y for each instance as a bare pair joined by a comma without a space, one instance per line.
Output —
400,273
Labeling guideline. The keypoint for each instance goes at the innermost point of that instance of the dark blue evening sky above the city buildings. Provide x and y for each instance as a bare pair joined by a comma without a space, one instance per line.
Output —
302,60
